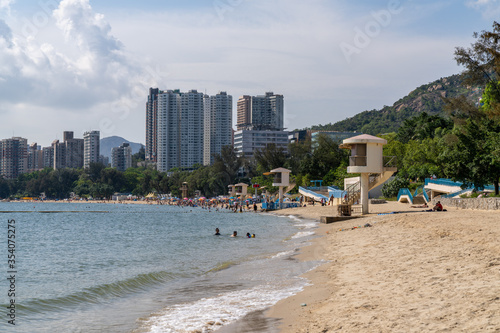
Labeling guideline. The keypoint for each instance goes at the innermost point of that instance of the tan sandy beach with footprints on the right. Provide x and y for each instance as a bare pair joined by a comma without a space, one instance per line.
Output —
412,271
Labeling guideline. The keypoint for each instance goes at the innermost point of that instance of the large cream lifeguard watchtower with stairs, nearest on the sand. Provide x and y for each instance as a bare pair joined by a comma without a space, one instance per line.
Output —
367,158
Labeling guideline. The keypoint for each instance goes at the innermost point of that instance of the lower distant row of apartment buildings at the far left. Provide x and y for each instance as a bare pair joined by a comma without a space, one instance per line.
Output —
17,157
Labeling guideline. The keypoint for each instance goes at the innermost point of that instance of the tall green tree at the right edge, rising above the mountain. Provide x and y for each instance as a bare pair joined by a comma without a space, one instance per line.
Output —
473,157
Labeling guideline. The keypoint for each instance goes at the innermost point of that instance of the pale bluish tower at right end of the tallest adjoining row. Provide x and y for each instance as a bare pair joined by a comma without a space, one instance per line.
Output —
218,125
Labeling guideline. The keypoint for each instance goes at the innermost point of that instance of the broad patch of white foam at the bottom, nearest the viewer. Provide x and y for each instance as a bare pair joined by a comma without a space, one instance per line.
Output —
208,314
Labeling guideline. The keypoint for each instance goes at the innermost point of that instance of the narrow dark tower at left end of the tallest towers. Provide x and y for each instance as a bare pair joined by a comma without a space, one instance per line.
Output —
152,125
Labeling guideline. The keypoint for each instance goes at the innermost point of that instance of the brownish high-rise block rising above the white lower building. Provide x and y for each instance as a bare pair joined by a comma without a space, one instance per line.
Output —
263,112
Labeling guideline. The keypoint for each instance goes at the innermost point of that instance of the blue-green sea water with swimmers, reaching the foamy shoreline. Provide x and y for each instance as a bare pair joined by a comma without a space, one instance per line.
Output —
145,268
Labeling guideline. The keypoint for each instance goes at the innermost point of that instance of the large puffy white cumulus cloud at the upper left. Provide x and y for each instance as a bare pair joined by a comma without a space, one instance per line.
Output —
86,73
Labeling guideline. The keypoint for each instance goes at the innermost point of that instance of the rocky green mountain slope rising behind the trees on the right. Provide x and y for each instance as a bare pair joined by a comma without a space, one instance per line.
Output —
426,98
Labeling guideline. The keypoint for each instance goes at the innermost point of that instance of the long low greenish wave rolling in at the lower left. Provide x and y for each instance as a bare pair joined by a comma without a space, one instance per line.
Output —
97,294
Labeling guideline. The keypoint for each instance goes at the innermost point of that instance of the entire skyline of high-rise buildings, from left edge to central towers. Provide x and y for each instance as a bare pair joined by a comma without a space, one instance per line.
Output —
183,129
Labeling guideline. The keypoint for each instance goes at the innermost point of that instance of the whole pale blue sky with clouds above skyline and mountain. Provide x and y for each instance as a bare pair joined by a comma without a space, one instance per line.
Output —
80,64
